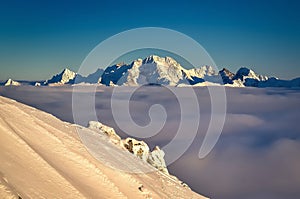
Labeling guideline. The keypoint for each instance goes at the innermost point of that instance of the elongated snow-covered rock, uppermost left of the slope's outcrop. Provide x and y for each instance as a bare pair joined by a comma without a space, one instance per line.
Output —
101,128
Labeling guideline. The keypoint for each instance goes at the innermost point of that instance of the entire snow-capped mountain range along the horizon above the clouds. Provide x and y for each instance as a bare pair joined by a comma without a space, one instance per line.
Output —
155,70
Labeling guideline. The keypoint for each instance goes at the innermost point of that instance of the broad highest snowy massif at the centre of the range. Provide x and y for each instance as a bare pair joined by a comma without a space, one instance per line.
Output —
151,70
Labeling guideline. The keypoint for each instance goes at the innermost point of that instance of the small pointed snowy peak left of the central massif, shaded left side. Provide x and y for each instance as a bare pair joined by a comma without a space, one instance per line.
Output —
65,77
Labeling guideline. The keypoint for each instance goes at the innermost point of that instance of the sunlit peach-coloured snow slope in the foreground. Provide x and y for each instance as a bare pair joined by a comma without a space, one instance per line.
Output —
43,157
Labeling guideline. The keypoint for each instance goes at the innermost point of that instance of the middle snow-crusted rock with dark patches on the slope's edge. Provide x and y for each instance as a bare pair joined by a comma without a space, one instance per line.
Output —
138,148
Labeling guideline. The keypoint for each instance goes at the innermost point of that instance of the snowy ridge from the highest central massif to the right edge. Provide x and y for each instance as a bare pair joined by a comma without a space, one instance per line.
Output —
167,71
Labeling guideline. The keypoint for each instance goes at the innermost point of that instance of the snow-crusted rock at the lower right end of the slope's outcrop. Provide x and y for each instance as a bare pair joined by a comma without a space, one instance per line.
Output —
156,159
